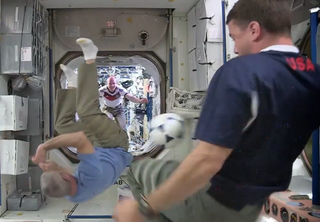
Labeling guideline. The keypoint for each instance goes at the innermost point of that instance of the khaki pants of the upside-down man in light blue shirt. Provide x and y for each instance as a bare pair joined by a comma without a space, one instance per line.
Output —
99,129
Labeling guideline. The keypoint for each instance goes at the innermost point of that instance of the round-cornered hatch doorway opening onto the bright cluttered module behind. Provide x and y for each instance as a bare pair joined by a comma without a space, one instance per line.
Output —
142,74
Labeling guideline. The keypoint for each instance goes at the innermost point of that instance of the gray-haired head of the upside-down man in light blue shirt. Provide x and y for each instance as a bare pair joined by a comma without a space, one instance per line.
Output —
53,185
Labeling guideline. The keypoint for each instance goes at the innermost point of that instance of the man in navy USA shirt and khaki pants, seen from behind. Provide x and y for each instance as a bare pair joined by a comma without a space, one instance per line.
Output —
260,111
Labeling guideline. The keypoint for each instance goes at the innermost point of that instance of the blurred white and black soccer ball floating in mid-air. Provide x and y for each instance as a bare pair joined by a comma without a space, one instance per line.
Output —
167,129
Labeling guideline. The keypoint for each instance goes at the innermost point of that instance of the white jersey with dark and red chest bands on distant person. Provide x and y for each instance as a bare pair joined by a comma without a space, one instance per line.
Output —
113,99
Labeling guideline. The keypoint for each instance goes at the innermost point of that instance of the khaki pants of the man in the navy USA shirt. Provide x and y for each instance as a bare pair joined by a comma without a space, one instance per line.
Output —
146,175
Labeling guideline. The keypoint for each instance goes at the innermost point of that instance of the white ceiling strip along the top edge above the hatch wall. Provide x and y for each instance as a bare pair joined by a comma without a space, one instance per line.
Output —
178,5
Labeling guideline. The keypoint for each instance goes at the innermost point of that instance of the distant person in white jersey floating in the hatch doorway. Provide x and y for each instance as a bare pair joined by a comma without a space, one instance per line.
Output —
113,95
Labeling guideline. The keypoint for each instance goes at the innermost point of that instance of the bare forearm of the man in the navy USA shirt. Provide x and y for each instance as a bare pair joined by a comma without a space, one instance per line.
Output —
192,175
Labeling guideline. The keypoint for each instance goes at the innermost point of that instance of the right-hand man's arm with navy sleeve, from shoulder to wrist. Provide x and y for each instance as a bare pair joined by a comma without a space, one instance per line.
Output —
225,114
